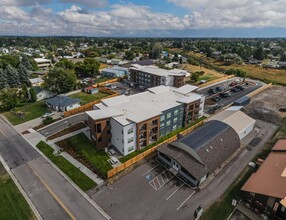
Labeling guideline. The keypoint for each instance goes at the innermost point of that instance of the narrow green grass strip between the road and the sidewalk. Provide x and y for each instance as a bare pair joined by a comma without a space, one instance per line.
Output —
79,178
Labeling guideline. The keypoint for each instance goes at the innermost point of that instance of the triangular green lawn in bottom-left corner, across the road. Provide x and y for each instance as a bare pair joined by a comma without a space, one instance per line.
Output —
12,203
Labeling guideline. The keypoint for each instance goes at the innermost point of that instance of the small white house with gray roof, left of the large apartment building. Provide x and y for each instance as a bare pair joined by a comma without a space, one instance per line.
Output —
63,103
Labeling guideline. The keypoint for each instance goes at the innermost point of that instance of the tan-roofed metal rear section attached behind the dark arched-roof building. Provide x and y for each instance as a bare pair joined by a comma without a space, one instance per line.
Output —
240,122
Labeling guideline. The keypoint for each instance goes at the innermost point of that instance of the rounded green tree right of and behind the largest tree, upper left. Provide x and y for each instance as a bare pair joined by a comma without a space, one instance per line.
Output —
89,67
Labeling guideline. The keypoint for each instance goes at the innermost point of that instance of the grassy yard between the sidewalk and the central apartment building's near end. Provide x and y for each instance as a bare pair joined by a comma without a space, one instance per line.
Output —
80,147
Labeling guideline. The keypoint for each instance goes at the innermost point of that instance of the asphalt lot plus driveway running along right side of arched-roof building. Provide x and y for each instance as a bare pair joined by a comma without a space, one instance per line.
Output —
134,195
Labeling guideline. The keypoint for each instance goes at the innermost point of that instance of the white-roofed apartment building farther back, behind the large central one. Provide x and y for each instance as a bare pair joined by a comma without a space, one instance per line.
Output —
151,76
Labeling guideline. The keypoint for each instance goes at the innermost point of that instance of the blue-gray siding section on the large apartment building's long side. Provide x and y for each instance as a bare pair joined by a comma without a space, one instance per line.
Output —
171,119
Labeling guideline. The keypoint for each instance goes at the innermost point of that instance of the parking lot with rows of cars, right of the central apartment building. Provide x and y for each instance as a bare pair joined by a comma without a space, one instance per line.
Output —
210,105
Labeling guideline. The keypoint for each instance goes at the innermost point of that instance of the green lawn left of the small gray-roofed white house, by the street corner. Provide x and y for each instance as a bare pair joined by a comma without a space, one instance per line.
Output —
31,110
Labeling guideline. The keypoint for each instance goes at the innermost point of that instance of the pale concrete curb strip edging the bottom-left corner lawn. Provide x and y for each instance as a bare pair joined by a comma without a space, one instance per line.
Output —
29,201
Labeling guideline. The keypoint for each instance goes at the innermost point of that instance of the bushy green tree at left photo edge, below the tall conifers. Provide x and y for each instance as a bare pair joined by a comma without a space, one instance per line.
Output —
8,99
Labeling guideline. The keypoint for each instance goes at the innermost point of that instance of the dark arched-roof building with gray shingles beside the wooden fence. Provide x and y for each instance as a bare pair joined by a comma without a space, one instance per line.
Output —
201,152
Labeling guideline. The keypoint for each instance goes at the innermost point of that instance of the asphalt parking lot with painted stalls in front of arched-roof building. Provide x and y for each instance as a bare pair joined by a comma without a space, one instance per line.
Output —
148,188
